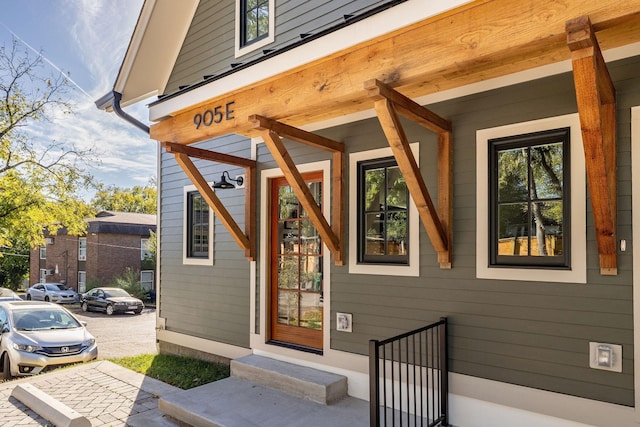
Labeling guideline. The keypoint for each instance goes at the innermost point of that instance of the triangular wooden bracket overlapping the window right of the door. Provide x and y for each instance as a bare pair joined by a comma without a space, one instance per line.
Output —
438,224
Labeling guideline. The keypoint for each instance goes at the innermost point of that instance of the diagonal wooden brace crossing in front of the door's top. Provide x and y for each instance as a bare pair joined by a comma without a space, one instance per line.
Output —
294,178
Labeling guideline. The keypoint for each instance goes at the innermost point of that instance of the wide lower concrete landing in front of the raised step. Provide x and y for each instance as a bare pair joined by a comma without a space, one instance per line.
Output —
234,402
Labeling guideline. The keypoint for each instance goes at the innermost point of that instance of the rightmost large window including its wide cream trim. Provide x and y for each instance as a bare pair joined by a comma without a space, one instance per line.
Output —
530,201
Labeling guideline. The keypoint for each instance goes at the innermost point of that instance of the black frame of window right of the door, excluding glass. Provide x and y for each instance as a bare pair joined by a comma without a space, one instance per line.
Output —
363,258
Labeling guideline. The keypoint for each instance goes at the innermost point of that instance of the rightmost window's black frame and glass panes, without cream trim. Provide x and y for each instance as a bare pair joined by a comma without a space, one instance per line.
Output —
529,210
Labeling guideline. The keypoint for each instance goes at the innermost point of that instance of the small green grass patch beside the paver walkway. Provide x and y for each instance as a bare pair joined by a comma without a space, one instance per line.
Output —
179,371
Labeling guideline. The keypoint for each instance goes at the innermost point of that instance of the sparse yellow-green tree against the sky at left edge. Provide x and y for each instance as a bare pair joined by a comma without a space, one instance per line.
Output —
39,179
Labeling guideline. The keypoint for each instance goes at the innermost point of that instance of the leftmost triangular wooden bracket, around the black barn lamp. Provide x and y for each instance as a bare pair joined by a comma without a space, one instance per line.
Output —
183,153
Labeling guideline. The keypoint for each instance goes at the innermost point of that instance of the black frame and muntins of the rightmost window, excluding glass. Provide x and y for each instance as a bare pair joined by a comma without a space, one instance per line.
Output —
527,141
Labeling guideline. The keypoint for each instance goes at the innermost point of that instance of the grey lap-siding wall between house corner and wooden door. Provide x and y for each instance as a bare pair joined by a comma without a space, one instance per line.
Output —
209,301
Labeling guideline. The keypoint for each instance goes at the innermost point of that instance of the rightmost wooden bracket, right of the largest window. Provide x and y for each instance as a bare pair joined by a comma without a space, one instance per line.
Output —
596,100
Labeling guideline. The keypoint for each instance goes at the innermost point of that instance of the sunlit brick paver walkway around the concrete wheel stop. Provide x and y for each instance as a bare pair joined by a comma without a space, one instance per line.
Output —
107,394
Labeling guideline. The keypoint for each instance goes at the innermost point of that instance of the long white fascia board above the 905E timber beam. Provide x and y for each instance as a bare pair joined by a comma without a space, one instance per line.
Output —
395,18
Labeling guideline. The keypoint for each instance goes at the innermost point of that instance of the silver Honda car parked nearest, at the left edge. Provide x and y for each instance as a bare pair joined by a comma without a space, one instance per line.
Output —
35,336
